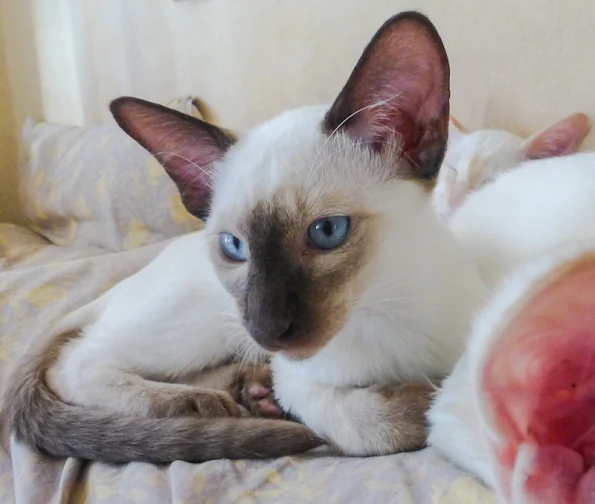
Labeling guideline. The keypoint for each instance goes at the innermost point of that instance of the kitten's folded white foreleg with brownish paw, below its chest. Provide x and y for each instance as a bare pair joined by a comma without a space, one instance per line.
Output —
375,420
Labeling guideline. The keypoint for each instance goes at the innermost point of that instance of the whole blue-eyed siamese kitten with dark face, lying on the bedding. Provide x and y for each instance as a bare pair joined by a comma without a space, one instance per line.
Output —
319,249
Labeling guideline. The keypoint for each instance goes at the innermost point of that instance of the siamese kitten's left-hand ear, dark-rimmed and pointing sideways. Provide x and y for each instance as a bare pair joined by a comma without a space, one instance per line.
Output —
186,146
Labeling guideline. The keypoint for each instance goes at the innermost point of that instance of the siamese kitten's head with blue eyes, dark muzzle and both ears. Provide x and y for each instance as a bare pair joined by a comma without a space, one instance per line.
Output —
306,211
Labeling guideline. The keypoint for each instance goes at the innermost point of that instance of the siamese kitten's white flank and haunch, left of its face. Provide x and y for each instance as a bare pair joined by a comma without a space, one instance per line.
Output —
169,320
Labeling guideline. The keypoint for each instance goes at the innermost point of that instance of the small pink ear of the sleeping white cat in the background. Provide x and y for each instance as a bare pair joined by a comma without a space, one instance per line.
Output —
560,139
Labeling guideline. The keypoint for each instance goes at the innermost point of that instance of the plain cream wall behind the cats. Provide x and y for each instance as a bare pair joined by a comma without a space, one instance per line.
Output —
518,65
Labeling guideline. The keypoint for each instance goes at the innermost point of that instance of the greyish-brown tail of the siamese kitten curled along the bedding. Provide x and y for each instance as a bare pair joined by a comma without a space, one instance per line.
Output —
39,418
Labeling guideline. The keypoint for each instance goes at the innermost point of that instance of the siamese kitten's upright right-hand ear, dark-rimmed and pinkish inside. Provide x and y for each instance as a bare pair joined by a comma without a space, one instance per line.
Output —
399,92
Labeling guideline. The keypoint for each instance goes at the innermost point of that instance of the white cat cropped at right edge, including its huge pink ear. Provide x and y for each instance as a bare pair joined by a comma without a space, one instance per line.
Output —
519,408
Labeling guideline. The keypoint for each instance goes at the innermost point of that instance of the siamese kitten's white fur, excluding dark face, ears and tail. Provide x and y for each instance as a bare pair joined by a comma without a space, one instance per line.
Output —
174,318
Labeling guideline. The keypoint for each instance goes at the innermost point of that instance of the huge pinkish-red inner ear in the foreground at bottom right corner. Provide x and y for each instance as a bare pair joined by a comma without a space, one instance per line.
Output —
539,384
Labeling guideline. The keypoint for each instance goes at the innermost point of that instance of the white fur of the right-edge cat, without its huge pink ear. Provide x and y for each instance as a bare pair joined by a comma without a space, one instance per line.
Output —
530,221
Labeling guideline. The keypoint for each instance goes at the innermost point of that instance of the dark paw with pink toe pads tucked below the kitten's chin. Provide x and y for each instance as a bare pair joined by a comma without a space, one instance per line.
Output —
254,391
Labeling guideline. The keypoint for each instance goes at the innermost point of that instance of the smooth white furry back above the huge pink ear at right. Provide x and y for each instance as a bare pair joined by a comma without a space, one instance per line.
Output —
528,211
